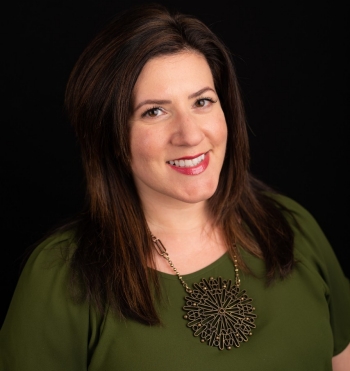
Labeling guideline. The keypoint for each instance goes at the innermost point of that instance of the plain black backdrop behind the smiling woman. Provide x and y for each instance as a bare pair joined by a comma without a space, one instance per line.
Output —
292,64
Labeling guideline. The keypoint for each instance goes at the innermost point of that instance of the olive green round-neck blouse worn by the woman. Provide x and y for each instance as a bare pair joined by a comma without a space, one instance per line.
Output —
301,321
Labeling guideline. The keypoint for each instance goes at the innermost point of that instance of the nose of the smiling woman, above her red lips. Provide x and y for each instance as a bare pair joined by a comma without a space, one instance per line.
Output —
187,130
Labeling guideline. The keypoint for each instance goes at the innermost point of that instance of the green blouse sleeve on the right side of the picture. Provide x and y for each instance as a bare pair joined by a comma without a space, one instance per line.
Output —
320,257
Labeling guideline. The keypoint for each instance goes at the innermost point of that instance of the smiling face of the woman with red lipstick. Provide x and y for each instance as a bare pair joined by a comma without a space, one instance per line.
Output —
178,130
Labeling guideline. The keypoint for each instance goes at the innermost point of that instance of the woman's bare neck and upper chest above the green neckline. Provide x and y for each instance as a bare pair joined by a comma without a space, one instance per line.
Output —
187,232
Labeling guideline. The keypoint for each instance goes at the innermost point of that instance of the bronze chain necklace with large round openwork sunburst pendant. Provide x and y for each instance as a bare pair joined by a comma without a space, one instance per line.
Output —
217,311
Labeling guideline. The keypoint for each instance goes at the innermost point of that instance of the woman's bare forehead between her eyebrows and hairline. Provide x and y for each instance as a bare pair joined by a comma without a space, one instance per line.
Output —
184,71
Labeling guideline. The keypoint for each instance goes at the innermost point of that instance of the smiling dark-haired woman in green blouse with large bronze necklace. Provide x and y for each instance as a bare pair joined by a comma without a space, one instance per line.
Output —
177,238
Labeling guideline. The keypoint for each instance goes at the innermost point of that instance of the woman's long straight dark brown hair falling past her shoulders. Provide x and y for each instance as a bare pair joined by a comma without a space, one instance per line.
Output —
113,243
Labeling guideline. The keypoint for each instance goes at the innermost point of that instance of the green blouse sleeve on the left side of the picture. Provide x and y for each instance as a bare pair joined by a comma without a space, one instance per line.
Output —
44,328
